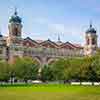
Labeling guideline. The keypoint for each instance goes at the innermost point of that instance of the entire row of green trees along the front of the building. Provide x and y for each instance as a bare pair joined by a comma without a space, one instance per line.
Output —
79,69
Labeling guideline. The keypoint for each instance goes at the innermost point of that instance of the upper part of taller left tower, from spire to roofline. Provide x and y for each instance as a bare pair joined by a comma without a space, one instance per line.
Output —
15,28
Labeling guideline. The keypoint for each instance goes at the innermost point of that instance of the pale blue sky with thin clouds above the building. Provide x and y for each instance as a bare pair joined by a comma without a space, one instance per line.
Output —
43,19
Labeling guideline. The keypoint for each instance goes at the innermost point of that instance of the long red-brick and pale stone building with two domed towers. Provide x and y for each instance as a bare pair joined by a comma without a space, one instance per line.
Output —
44,52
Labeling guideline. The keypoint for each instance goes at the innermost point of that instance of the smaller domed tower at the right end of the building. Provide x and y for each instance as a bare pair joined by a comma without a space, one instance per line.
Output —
91,41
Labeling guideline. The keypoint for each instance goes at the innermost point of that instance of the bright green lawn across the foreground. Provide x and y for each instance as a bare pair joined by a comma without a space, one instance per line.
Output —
50,92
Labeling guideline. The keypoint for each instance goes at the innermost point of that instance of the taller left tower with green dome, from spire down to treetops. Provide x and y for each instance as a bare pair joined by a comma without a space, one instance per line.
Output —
14,41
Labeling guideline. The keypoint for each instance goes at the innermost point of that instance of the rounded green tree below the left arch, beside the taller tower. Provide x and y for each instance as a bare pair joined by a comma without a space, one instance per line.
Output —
25,69
